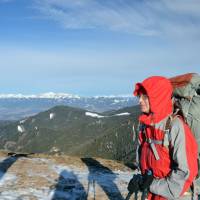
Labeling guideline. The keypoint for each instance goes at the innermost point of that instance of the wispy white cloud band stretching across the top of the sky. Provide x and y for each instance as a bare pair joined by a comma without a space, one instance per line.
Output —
159,17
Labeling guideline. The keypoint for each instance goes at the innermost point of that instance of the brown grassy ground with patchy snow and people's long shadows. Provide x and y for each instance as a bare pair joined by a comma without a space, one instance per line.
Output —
62,178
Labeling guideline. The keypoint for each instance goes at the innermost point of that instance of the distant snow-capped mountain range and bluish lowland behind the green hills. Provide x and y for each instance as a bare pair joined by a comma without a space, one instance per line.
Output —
17,106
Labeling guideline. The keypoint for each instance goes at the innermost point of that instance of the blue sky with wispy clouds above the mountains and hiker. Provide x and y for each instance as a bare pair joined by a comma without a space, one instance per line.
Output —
95,47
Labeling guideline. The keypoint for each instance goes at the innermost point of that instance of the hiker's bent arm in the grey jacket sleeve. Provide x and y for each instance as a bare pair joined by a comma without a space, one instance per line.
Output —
172,186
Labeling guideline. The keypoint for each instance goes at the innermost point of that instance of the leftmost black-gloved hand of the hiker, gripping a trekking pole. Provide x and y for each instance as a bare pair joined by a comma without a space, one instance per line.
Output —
134,183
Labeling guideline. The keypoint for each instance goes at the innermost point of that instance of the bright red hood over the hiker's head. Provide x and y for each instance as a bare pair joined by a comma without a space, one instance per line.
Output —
159,91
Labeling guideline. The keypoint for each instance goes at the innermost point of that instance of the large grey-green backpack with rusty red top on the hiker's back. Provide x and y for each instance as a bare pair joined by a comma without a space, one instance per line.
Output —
186,93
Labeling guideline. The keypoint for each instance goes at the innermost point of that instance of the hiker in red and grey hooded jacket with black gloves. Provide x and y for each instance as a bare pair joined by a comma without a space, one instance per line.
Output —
167,150
